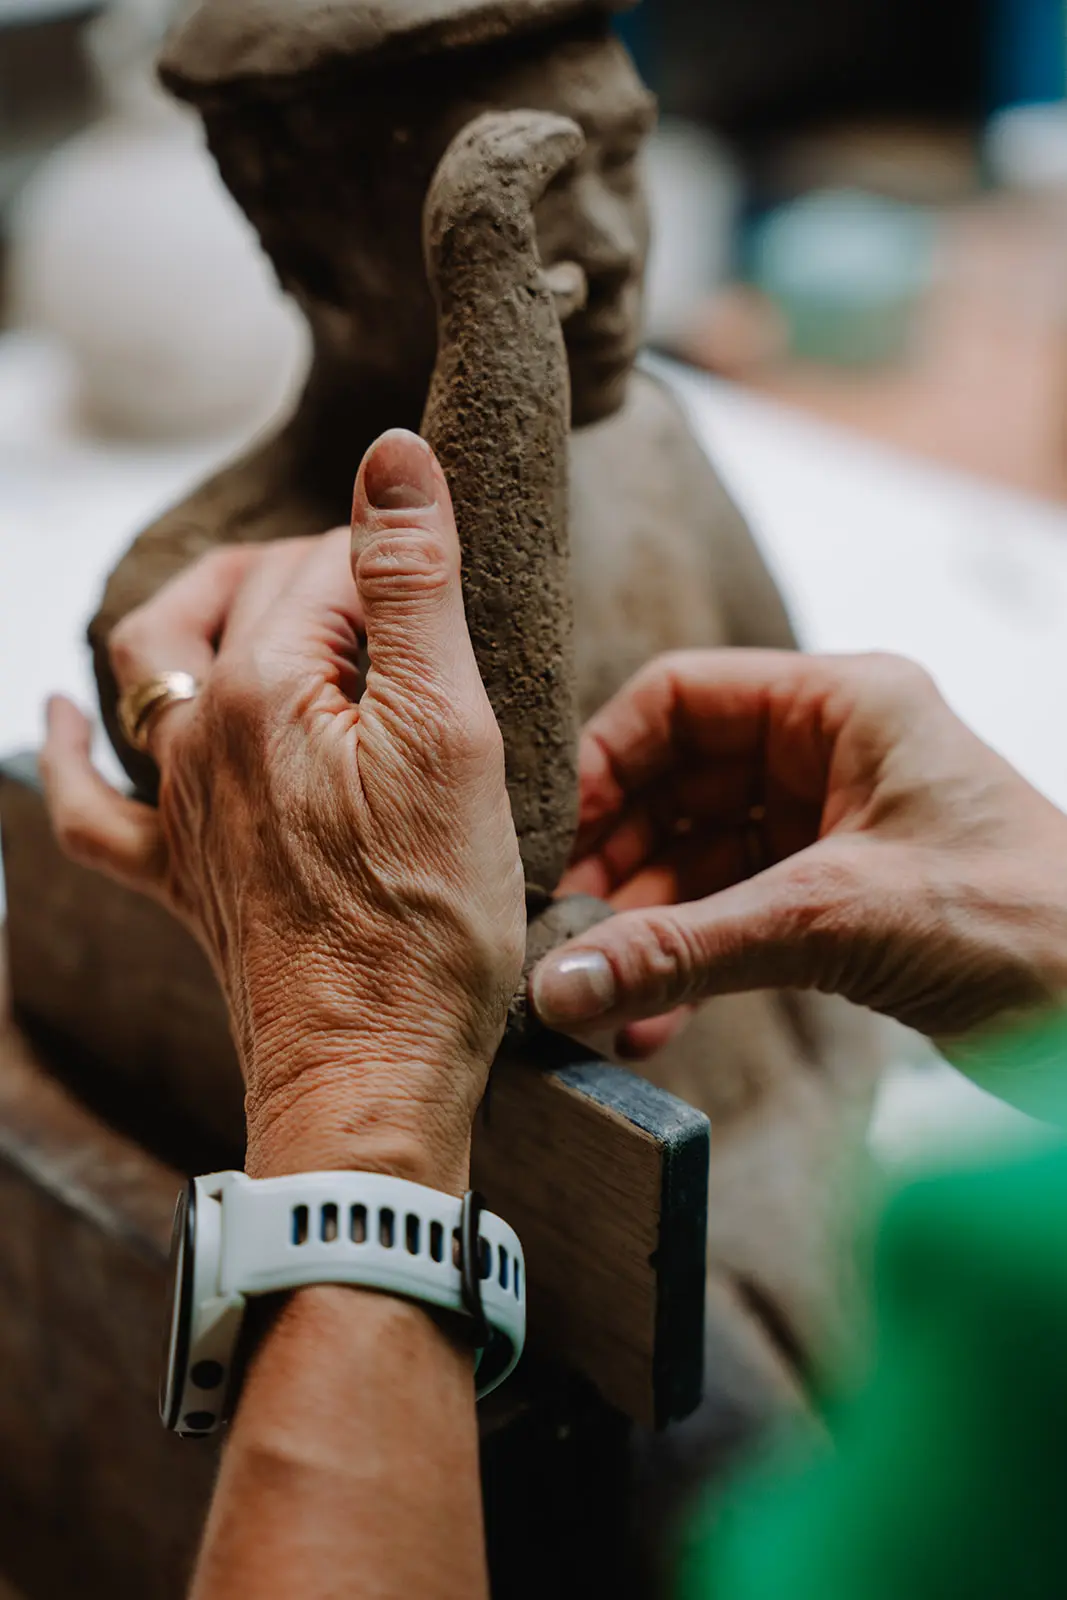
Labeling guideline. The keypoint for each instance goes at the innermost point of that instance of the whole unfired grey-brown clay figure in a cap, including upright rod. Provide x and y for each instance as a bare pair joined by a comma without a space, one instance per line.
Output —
329,122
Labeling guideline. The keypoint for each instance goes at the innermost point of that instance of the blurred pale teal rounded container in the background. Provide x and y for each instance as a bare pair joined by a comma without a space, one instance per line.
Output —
847,270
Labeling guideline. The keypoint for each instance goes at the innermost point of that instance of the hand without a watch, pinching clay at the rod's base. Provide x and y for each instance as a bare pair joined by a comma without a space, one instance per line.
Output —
767,820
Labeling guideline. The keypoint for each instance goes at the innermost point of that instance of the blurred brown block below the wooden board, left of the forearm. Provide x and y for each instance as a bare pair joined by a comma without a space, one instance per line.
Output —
95,1498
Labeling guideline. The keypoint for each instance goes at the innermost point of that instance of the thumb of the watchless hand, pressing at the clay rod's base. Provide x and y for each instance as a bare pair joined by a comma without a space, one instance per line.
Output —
786,929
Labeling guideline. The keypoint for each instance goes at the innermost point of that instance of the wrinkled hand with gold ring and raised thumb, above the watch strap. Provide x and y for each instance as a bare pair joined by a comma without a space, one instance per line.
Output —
348,860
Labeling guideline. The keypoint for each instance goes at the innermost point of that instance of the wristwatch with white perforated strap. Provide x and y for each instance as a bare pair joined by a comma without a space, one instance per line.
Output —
238,1238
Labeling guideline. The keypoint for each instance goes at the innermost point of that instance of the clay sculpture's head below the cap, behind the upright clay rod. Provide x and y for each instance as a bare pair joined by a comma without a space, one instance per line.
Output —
335,182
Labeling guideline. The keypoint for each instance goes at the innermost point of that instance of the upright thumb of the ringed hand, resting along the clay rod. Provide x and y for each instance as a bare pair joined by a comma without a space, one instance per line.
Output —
406,562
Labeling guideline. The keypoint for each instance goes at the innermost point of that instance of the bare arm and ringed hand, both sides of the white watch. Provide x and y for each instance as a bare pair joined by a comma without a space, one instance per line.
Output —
348,857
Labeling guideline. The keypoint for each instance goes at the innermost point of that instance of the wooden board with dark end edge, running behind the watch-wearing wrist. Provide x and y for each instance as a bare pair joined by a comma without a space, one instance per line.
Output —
602,1175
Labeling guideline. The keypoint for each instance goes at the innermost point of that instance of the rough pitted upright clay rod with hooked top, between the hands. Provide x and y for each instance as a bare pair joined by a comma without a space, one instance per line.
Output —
500,420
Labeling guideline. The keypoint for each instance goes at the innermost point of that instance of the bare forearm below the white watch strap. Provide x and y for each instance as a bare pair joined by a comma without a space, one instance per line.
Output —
353,1463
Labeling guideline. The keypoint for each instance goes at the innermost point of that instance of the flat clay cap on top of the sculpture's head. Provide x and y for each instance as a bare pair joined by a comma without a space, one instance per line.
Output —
228,41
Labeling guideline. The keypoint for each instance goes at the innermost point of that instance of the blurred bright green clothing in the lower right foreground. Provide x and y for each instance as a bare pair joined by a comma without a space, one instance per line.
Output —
949,1481
